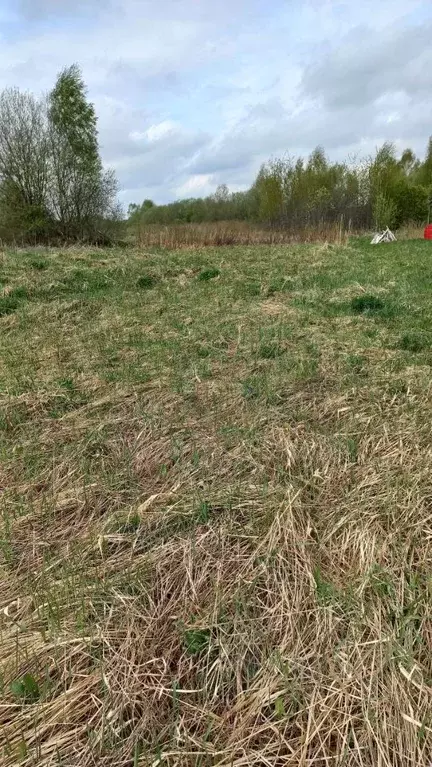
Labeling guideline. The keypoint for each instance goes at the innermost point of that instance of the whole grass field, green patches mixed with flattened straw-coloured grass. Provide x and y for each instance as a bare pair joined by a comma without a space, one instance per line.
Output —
216,507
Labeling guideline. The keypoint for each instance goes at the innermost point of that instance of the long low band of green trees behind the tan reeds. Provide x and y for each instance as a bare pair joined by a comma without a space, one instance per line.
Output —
381,191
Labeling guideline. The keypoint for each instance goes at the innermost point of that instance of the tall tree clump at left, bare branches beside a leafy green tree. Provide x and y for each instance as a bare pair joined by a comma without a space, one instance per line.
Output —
52,183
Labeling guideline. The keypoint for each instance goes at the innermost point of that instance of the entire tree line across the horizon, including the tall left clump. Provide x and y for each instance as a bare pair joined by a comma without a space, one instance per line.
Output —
53,185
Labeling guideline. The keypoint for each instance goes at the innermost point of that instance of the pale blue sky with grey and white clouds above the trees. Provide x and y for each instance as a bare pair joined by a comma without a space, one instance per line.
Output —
193,93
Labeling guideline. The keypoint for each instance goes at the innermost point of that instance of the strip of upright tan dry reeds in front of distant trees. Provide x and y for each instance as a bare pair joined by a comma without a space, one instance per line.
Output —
233,233
